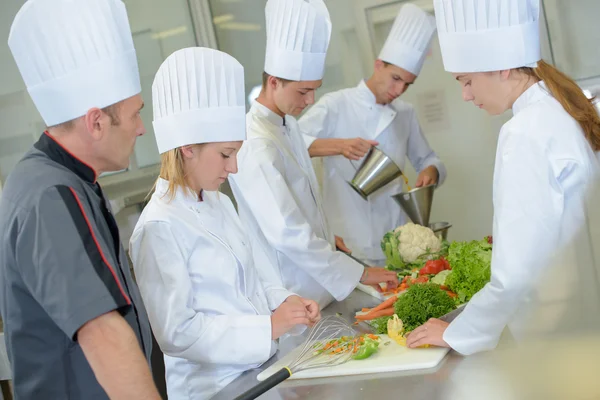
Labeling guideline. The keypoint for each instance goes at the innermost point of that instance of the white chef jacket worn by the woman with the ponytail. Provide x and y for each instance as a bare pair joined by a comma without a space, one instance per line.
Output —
544,170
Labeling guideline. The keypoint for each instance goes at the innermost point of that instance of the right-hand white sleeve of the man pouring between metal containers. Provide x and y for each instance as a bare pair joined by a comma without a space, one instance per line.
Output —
420,152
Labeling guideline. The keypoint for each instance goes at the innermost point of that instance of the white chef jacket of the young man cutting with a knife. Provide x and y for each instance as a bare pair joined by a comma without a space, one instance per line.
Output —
280,204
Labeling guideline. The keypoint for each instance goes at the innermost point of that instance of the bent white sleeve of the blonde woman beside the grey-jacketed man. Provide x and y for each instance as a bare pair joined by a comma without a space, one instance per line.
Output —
180,330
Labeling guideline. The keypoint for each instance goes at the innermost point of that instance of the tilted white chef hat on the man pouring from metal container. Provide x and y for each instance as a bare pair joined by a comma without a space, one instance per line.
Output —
410,39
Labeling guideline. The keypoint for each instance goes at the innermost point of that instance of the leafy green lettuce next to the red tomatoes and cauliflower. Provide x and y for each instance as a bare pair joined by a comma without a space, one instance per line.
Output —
471,268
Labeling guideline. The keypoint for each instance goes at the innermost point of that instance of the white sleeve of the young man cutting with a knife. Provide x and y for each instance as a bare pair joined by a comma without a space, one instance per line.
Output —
264,189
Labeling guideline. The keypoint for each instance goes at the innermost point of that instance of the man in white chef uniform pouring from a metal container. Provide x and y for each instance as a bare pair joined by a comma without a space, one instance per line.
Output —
373,112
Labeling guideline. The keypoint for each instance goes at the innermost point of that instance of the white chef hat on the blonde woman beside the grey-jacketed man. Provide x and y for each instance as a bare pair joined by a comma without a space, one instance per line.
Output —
198,97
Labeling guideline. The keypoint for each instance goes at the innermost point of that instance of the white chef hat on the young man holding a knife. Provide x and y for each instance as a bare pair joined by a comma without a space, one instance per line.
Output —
298,33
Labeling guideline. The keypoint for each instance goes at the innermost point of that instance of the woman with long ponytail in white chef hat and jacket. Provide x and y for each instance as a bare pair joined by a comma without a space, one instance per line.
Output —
546,160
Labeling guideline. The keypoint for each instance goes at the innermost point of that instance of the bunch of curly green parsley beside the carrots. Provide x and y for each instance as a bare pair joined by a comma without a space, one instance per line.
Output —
422,302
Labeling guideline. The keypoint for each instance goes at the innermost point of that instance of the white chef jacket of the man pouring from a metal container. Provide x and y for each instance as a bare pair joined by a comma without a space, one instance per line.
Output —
351,113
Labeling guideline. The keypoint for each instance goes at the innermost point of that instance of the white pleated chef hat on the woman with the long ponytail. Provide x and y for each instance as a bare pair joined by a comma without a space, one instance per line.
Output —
492,35
